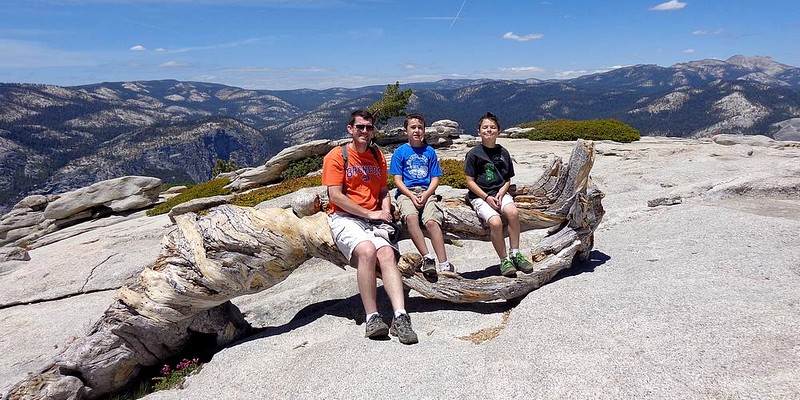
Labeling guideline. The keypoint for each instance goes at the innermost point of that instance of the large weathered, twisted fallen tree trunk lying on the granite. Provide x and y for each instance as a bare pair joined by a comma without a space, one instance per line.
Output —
233,251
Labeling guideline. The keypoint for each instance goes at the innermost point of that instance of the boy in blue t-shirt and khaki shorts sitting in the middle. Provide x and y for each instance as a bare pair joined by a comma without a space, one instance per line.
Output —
416,171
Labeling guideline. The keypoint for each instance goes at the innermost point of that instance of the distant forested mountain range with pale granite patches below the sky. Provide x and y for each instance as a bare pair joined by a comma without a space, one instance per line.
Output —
54,139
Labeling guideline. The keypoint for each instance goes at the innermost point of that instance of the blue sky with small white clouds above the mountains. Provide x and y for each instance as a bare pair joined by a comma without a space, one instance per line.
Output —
288,44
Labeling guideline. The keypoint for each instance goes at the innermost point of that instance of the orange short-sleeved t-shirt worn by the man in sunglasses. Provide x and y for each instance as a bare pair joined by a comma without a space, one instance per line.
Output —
364,180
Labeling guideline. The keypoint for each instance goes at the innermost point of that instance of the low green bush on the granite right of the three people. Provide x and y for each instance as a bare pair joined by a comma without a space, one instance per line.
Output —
569,130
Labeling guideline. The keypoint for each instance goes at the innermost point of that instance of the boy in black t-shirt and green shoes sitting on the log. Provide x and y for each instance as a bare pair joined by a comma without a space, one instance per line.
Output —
489,171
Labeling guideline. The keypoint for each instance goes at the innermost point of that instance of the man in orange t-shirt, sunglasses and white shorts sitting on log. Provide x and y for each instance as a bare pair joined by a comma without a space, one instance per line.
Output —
359,203
